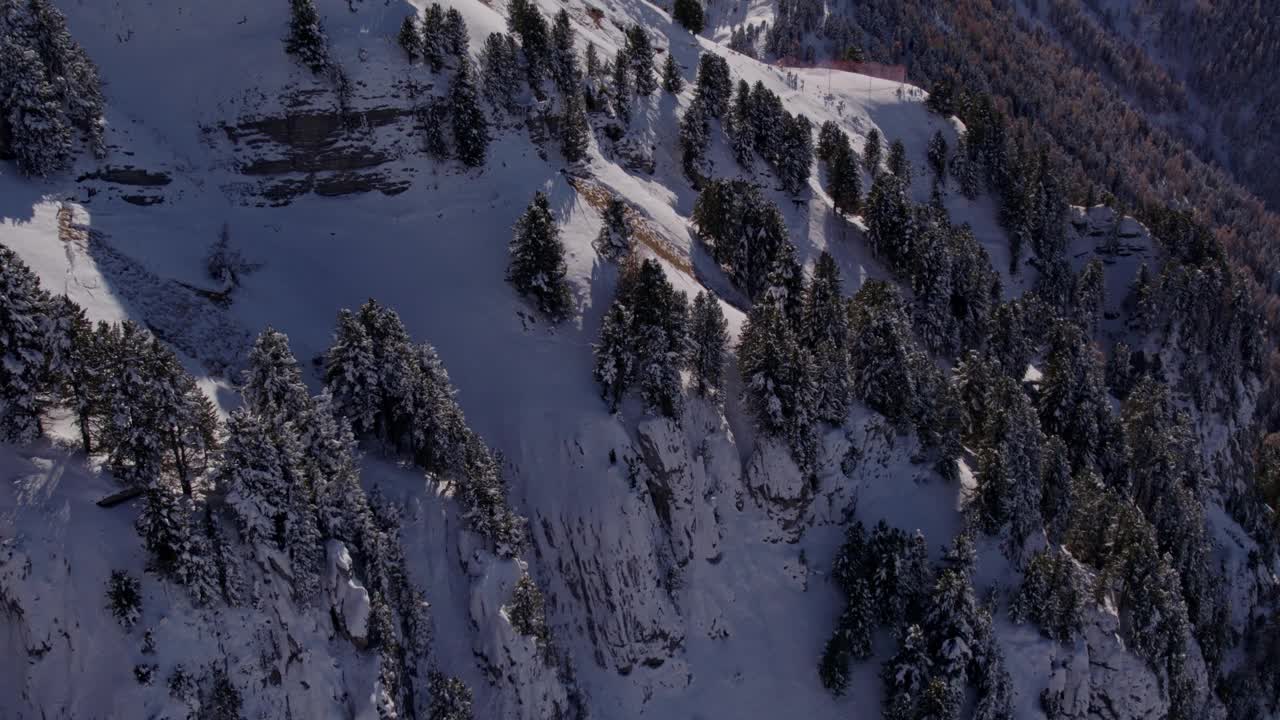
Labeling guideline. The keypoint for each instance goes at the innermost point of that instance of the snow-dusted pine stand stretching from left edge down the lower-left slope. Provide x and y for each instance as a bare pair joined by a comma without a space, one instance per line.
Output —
282,471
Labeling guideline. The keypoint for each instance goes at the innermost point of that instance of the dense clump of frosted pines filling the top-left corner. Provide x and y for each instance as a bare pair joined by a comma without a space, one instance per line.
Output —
51,90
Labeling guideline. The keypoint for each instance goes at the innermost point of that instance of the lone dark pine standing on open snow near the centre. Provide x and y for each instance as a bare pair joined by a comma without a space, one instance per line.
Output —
538,261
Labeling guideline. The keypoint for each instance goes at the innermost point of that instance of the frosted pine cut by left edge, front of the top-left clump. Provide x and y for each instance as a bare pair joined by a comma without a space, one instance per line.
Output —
39,133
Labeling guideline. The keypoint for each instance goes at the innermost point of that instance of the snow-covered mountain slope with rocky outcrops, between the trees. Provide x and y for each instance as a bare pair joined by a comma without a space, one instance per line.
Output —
691,582
